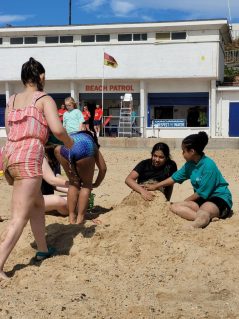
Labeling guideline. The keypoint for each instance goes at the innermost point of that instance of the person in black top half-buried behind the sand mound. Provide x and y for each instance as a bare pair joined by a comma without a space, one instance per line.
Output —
153,170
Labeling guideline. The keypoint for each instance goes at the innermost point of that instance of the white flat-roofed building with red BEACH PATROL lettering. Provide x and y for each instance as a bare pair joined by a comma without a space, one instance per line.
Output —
171,69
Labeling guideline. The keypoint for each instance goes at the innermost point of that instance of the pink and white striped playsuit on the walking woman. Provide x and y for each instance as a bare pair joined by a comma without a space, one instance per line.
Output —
28,132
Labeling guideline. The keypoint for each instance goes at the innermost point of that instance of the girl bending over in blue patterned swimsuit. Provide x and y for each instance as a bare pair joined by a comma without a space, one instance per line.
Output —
79,165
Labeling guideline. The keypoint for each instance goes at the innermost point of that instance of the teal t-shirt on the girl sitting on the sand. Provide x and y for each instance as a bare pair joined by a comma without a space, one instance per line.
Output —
206,179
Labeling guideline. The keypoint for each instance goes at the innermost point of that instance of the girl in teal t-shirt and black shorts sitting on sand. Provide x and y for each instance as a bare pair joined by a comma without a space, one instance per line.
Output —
211,197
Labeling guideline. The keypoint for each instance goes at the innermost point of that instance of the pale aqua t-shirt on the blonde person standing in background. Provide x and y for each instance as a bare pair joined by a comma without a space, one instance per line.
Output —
72,120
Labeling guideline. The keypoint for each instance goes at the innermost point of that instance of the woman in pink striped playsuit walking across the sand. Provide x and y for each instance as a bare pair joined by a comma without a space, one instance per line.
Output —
28,115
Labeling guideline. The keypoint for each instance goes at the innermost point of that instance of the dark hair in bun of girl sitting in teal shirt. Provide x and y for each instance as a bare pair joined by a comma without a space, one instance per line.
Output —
196,142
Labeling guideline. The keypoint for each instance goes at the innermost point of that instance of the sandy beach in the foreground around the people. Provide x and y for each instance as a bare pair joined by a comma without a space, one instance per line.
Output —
139,263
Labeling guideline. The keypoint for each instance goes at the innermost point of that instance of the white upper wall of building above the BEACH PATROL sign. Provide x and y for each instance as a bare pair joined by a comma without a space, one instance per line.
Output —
180,60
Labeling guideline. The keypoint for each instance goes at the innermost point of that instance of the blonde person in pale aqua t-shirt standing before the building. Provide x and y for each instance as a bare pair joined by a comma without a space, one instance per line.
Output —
73,118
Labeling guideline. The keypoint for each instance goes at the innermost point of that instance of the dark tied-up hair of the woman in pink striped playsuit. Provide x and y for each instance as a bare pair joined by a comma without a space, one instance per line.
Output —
31,71
